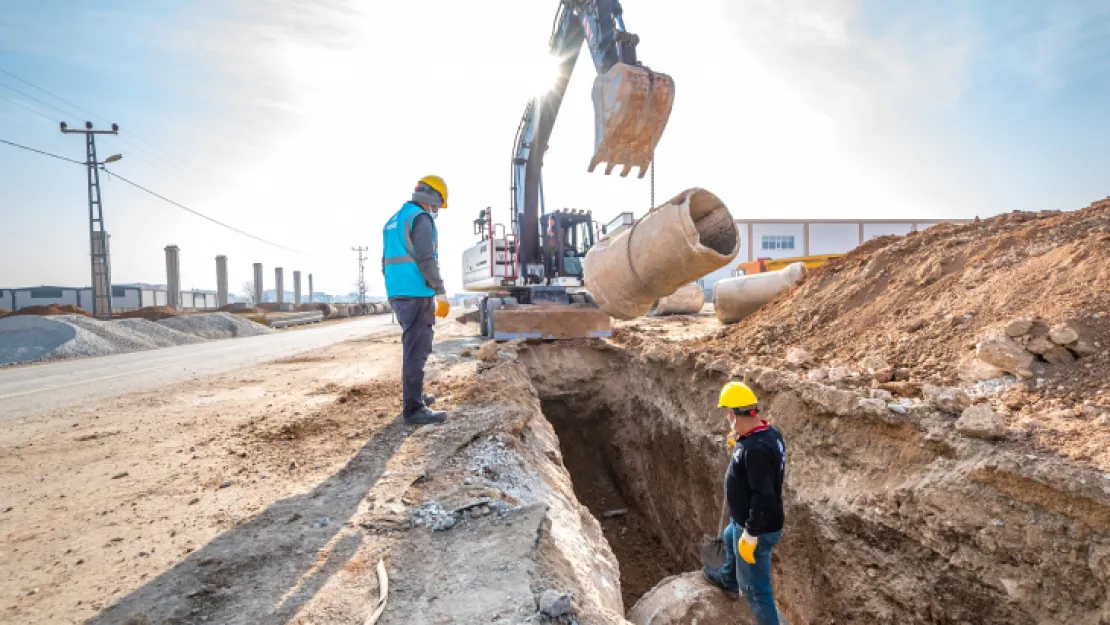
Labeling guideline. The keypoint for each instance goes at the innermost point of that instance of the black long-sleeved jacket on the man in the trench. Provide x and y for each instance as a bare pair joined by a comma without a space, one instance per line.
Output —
754,481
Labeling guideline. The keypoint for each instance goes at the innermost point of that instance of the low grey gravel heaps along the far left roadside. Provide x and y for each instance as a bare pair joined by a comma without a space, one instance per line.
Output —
26,339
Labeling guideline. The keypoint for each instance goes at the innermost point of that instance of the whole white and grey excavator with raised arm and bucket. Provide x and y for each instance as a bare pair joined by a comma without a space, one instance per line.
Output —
531,273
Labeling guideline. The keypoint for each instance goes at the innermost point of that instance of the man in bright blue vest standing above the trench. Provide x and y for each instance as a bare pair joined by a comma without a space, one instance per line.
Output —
411,265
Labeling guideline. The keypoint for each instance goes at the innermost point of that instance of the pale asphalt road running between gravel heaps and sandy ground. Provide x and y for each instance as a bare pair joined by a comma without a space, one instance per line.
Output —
28,390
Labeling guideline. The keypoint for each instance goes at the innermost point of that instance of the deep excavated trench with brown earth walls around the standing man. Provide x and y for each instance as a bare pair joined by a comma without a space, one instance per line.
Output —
891,519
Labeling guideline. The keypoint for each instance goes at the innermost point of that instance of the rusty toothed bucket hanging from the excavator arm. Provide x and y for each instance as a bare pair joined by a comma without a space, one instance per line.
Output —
632,106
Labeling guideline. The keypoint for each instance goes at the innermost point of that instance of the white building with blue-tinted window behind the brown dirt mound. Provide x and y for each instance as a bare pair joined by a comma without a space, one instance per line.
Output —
790,238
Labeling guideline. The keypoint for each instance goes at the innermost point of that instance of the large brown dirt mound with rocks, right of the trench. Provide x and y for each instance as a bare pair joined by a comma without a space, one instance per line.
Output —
1015,309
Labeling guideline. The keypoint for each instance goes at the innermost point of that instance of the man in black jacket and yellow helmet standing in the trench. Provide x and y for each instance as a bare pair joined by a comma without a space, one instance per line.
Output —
754,492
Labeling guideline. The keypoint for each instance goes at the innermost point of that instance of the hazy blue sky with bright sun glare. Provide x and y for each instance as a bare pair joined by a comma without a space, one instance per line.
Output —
308,124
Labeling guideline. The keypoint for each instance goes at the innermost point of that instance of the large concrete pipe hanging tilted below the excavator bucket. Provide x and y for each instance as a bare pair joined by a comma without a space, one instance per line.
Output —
690,237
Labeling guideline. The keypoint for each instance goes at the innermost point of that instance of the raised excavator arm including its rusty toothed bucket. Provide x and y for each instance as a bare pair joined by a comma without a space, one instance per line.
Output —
632,106
